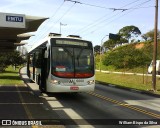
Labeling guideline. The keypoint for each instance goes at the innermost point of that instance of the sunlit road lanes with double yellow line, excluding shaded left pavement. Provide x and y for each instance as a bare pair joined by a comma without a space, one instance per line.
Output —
107,103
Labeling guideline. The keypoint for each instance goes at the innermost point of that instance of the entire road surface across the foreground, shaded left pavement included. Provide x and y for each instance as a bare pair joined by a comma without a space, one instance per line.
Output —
103,108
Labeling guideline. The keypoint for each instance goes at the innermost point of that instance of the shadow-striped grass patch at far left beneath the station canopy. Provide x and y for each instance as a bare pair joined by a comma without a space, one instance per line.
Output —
10,77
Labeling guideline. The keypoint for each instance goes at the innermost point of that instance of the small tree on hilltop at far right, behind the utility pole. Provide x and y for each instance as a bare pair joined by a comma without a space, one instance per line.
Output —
150,35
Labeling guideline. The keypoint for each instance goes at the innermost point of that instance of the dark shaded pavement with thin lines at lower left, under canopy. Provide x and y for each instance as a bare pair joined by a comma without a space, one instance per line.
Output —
19,103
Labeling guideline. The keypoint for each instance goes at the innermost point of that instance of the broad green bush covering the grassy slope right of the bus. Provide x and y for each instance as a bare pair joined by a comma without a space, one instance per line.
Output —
127,56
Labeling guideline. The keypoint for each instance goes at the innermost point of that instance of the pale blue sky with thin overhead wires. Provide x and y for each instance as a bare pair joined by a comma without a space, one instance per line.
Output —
93,20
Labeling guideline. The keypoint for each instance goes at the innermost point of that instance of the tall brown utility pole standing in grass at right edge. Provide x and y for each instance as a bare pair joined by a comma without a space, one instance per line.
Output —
155,48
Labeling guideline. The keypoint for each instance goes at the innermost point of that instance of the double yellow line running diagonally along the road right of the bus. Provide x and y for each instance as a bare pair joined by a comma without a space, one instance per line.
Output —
125,105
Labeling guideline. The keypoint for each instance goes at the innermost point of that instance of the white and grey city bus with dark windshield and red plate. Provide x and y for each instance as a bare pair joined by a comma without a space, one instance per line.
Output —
62,64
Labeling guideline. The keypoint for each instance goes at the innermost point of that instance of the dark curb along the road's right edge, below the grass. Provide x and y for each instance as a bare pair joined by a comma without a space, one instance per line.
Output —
128,89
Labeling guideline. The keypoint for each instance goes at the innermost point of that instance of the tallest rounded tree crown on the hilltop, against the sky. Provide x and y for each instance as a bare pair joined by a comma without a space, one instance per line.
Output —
129,31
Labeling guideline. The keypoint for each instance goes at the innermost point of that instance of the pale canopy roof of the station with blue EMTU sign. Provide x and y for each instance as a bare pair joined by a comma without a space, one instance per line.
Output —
13,29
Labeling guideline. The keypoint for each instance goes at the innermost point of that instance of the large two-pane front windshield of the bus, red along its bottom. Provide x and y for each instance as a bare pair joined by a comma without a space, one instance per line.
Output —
72,62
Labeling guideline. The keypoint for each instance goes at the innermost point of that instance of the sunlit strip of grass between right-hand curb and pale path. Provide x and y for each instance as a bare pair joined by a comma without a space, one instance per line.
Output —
130,81
